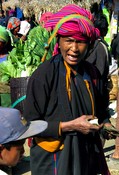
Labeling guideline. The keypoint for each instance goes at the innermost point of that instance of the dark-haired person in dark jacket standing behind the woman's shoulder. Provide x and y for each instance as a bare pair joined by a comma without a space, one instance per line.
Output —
100,56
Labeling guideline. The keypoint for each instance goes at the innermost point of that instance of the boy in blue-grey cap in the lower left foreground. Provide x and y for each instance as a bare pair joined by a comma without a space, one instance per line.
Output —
13,132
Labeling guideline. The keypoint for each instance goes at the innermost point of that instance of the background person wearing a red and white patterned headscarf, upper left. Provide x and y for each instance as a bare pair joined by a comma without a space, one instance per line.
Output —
14,26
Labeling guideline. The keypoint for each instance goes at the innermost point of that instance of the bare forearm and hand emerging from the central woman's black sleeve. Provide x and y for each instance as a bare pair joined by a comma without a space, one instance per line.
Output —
80,124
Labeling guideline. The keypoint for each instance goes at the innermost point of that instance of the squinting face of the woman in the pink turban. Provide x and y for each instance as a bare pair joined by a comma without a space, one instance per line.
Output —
72,50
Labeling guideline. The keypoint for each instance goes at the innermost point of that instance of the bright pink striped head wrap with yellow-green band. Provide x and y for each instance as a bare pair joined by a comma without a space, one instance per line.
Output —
73,21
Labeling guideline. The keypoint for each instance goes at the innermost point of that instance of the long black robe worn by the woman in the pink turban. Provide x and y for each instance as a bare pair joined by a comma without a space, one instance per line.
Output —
47,99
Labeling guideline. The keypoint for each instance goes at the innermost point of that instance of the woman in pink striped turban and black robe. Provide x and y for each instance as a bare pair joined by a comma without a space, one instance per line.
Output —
63,92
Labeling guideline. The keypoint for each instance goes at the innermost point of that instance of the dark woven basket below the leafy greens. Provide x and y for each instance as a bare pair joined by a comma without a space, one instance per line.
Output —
18,88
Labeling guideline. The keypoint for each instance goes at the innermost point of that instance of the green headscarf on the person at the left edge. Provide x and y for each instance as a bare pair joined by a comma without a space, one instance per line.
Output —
4,35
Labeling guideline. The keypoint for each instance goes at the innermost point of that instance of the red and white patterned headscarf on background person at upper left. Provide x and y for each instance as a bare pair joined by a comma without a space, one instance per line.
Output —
13,23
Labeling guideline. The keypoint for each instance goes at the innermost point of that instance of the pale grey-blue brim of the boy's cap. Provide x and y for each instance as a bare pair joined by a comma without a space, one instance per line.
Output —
35,127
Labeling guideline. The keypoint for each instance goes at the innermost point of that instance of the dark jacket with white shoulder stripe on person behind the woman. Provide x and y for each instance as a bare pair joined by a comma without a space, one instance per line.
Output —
100,57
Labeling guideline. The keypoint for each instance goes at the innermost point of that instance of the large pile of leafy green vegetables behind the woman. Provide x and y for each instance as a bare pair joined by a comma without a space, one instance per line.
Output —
26,56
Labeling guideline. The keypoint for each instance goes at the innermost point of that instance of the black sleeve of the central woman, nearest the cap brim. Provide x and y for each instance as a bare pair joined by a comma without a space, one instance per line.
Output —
38,93
